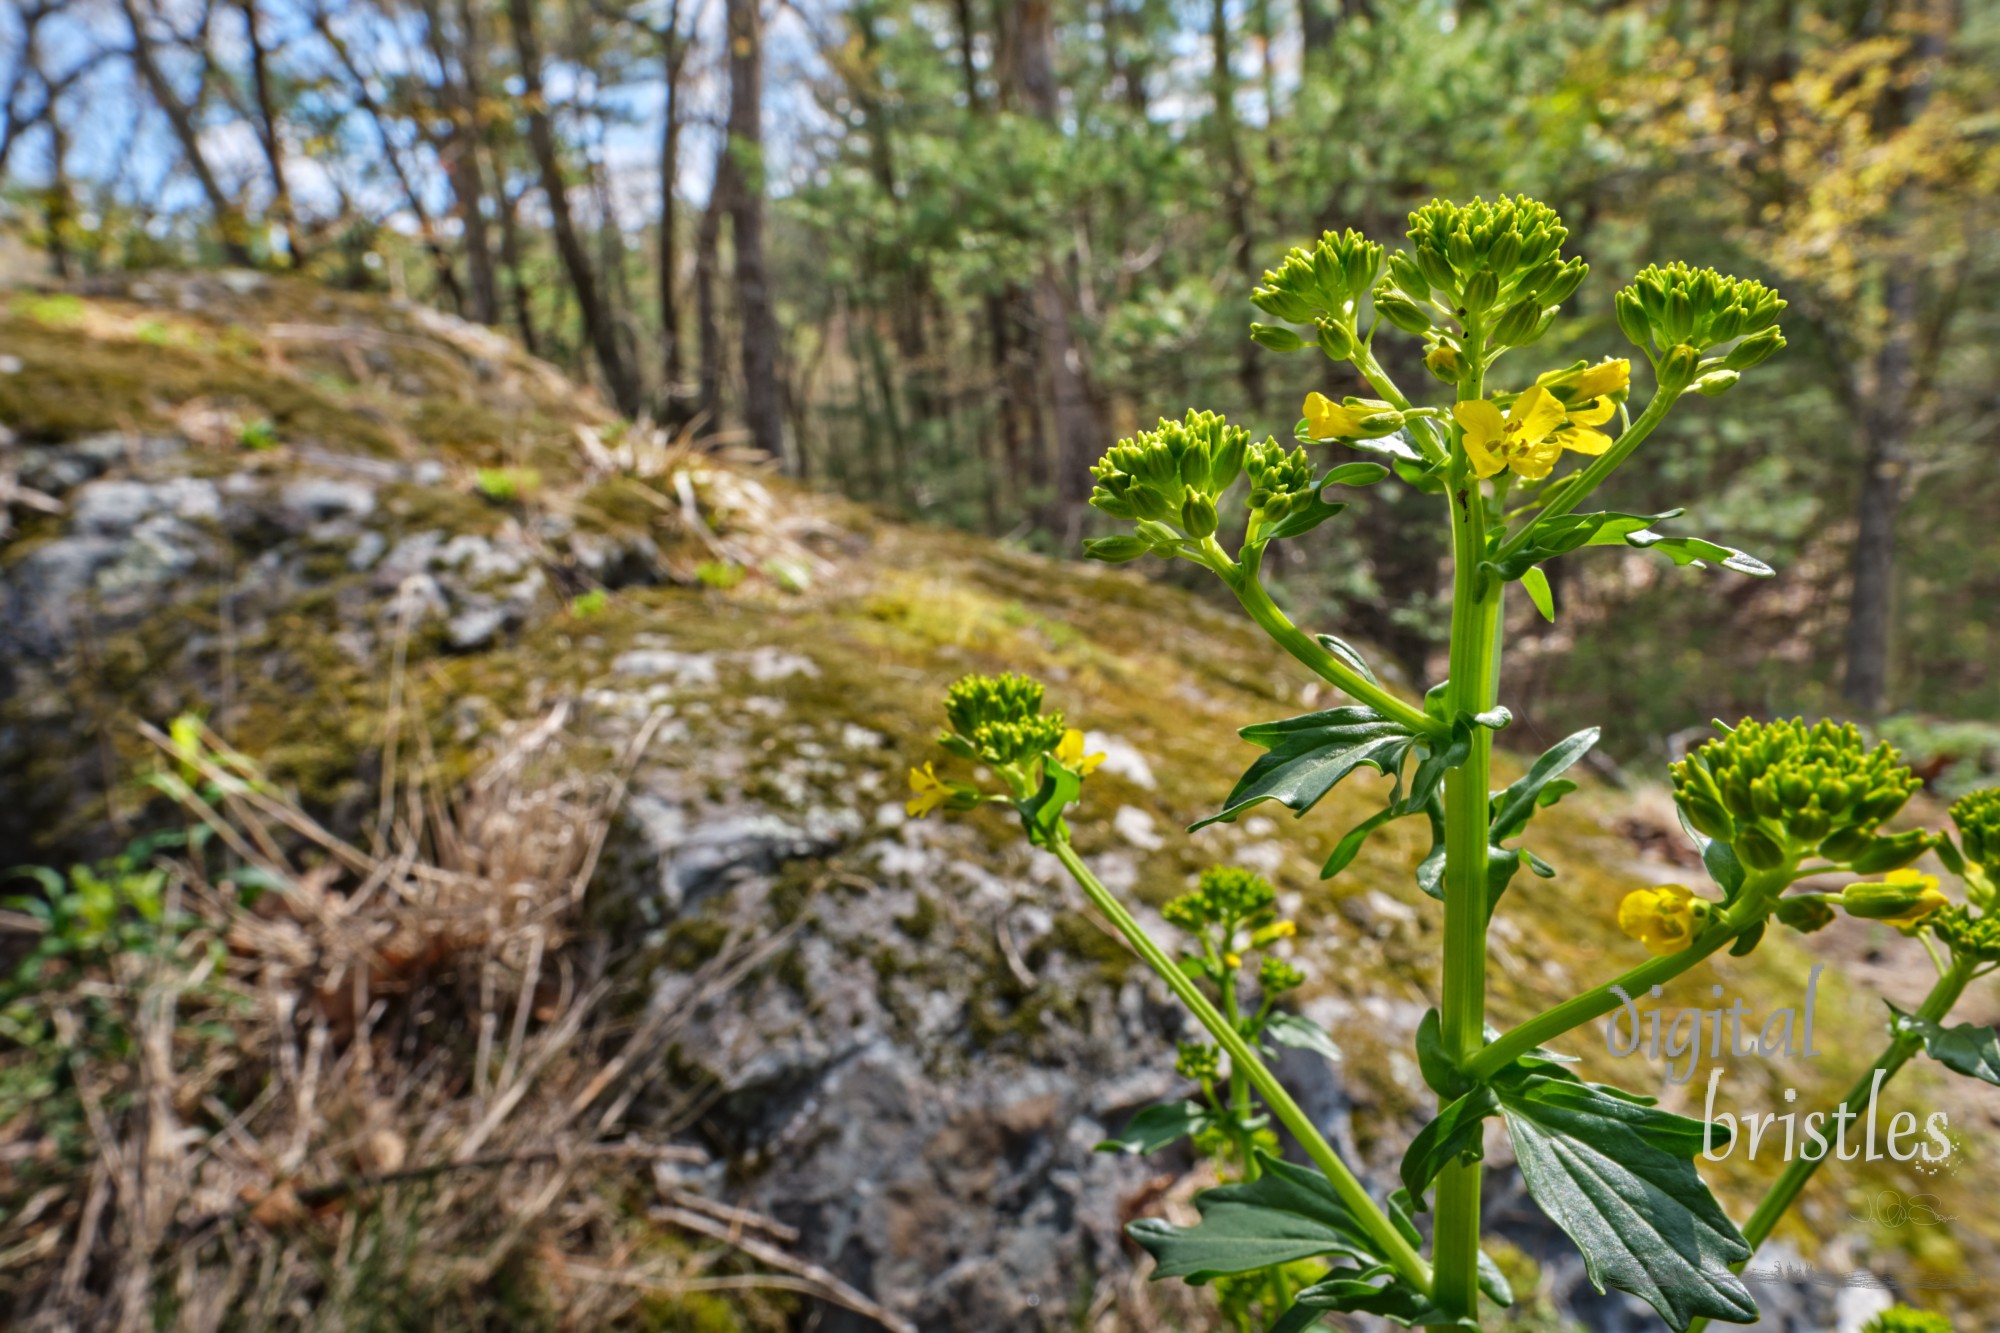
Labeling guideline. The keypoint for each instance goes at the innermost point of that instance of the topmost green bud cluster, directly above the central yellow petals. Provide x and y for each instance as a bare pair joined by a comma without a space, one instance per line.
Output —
1481,259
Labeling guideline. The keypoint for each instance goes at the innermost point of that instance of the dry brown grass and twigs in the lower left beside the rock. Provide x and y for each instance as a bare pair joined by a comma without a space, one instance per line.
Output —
395,1088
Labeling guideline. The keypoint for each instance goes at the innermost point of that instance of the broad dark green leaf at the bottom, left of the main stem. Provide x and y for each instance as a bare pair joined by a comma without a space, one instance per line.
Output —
1283,1216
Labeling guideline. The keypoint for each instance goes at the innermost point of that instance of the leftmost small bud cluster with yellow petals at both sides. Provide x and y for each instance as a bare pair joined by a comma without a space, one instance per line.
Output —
999,722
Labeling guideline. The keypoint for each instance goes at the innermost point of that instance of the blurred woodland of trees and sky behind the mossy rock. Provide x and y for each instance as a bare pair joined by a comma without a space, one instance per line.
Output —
941,255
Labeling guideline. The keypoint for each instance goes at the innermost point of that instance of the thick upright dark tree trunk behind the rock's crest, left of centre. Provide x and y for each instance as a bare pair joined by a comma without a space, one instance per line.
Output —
745,151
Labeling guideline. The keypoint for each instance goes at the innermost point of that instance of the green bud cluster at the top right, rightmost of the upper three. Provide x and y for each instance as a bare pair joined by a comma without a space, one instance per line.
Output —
1675,315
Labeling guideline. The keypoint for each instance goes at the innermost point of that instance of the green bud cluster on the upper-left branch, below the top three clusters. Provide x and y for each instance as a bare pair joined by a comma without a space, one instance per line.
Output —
1167,479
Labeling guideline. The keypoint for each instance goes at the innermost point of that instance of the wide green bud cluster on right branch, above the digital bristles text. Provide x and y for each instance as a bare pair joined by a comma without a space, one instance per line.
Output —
1777,792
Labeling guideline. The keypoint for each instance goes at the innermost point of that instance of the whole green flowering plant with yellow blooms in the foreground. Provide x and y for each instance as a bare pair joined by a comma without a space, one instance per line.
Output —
1513,457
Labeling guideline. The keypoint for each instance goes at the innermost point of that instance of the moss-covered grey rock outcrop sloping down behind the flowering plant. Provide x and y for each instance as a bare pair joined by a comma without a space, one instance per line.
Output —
297,511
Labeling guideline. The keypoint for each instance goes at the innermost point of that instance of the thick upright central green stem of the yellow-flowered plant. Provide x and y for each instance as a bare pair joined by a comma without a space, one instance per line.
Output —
1463,990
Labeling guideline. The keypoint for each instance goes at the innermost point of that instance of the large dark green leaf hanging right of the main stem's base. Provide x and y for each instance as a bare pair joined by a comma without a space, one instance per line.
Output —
1621,1182
